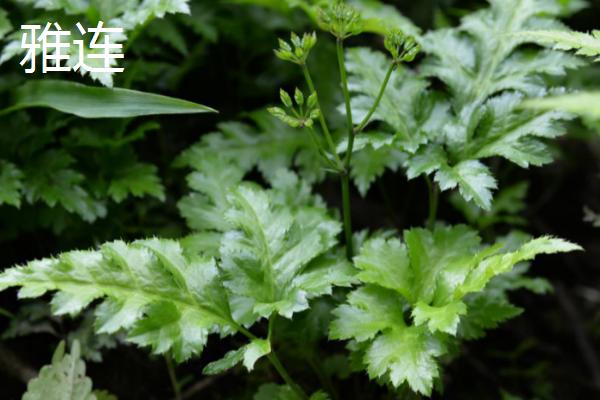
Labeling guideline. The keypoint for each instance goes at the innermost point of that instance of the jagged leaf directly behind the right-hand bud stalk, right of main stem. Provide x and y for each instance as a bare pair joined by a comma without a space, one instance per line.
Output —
410,113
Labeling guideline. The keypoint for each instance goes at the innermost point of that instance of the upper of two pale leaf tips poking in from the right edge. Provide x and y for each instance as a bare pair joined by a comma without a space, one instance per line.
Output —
584,44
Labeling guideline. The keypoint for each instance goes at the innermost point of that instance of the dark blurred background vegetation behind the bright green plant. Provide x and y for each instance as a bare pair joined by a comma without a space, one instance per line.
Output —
90,181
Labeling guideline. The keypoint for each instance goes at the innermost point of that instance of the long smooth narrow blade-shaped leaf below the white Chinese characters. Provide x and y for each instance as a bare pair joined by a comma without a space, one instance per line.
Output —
98,102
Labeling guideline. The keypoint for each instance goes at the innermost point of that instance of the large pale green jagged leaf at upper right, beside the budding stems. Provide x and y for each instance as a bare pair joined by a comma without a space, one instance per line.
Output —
487,75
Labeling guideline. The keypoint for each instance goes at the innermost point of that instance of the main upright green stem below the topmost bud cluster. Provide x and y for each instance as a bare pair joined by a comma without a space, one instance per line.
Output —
345,175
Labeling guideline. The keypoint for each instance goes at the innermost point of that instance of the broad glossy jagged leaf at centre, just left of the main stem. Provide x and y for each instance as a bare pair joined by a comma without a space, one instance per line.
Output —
267,259
